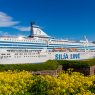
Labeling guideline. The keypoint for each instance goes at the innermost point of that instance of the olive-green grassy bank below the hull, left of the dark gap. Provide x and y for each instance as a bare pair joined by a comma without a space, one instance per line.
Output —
49,65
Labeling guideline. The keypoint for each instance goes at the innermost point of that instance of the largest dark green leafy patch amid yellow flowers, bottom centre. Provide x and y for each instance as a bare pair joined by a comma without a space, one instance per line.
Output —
39,86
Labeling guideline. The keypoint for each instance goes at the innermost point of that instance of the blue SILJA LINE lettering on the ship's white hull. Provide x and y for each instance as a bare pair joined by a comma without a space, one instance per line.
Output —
67,56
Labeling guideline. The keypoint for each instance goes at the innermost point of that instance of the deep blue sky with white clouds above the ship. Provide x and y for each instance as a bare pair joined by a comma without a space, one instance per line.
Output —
72,19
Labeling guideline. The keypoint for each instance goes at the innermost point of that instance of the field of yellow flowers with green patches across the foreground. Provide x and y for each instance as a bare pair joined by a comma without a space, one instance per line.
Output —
66,83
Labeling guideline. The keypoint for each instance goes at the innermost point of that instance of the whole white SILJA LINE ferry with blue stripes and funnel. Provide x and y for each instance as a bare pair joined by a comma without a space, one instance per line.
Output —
38,47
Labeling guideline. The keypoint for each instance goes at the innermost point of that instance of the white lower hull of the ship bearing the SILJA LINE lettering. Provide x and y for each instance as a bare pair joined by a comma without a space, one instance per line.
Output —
36,57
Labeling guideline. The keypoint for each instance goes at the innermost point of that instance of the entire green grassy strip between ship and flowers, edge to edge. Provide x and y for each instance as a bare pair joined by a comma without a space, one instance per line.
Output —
49,65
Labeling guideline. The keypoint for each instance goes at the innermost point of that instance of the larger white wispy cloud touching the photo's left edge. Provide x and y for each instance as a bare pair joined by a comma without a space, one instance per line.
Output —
6,21
